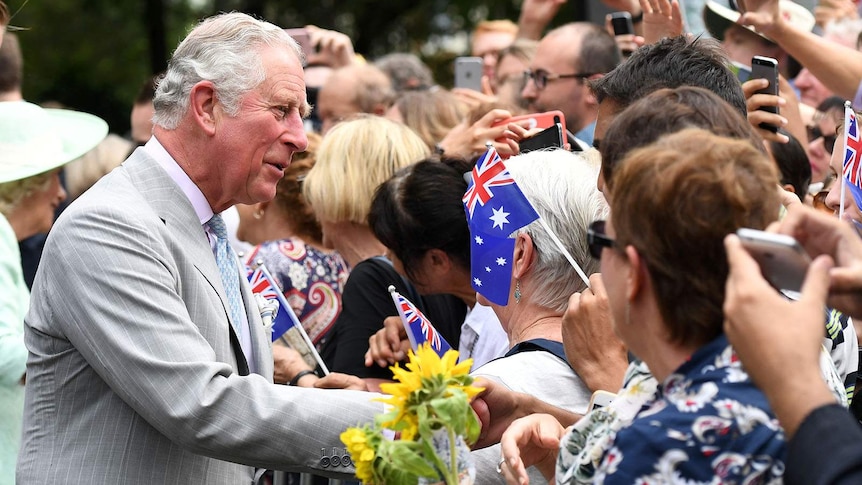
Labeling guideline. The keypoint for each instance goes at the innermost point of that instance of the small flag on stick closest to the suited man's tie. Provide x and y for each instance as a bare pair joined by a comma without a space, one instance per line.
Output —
284,324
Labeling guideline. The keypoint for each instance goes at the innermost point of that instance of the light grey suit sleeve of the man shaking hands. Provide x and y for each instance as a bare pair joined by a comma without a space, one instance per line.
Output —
114,290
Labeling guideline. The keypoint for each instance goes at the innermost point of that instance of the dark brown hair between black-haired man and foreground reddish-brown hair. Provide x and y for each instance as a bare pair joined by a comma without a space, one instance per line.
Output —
667,111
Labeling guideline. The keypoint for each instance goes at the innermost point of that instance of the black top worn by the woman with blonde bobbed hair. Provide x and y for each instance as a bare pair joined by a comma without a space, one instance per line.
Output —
366,302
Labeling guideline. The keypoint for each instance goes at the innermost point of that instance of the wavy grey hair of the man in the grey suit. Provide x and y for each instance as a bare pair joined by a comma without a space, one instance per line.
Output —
223,49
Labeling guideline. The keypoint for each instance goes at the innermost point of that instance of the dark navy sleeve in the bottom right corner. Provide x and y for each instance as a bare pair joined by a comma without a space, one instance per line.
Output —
827,449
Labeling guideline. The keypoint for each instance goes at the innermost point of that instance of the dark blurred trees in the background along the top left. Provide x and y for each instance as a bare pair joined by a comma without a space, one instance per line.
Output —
93,55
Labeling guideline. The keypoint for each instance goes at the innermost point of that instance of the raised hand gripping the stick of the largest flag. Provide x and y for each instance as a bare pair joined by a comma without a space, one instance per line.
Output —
592,347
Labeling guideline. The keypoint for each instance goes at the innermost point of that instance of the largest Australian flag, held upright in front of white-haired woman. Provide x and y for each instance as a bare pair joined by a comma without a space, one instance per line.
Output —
495,208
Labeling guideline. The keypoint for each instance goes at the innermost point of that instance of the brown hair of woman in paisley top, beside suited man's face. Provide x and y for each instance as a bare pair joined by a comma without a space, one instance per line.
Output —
288,194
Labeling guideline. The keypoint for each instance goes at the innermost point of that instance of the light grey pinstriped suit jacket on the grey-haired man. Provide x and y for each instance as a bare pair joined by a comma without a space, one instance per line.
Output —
133,374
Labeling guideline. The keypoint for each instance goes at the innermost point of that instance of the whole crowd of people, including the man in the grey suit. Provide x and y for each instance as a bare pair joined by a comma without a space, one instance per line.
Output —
639,341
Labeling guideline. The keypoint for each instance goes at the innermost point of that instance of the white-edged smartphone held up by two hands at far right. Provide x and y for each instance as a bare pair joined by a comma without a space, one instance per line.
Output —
782,260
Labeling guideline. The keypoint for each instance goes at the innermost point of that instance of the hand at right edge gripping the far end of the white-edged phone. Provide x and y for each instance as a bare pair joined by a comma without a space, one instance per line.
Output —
821,234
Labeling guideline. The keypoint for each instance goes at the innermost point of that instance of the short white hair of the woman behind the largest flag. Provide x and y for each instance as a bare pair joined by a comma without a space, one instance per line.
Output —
562,188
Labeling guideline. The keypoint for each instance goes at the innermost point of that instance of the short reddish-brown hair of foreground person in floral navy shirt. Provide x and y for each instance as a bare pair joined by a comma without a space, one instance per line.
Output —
675,201
